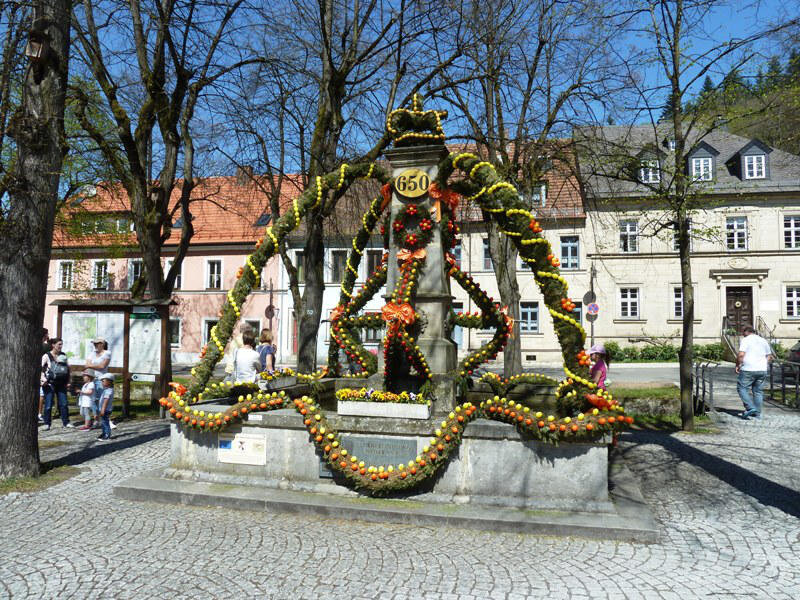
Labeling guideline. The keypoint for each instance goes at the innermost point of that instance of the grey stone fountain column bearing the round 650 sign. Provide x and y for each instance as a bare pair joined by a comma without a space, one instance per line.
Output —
433,298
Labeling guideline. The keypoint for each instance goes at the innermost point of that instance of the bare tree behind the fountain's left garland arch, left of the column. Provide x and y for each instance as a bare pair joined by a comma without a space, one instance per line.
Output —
344,65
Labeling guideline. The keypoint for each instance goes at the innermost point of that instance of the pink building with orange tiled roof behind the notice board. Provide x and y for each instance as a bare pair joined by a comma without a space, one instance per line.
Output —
102,265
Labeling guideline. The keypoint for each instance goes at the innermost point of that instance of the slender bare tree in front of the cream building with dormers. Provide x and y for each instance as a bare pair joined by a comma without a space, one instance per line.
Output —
680,47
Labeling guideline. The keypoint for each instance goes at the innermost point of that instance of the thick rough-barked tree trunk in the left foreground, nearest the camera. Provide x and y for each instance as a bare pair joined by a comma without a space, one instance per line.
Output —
26,235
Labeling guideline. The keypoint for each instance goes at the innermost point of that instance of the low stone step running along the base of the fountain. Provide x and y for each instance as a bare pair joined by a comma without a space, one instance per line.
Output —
633,520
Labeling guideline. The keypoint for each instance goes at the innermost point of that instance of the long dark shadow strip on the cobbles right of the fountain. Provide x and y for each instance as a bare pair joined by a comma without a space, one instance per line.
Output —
767,492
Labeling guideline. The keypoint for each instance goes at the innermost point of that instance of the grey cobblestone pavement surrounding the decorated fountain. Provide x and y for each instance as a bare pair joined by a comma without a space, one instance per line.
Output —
728,506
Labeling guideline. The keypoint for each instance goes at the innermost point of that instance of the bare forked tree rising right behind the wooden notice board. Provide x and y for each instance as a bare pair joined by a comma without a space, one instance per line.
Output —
151,89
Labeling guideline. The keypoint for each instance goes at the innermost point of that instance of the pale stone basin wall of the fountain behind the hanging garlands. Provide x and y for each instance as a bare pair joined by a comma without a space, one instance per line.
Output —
493,465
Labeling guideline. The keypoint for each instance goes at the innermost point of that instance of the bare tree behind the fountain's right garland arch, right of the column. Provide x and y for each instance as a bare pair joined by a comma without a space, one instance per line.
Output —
538,69
